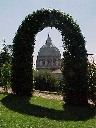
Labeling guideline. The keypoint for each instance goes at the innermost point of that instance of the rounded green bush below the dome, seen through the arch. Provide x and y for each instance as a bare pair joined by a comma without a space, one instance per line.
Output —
45,80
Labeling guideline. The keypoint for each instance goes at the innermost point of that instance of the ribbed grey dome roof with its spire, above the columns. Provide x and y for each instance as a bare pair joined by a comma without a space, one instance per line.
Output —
49,49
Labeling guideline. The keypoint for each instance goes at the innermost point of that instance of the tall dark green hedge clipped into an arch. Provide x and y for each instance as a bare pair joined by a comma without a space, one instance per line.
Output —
75,55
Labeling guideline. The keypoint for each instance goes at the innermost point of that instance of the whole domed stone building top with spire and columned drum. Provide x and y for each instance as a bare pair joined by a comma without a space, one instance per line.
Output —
48,57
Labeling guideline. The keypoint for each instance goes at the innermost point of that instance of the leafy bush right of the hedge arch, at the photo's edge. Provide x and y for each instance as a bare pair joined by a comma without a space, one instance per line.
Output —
92,82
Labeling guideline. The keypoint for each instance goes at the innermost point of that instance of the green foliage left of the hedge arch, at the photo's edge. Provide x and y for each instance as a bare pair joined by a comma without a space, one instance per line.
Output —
5,67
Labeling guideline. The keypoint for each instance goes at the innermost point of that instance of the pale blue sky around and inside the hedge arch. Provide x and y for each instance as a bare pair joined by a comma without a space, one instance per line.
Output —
13,12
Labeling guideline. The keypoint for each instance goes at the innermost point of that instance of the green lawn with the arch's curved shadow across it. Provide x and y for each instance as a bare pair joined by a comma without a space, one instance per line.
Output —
37,112
